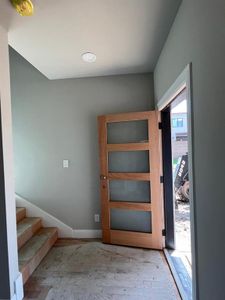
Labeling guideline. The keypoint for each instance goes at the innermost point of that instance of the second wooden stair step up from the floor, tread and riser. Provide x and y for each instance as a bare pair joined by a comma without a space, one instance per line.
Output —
26,228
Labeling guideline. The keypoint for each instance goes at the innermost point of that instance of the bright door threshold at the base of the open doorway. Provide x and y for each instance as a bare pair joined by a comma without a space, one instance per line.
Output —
181,273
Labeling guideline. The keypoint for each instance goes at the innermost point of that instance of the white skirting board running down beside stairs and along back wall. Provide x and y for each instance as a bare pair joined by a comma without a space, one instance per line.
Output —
48,220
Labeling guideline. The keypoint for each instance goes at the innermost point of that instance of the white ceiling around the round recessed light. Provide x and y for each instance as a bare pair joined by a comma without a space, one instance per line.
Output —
126,35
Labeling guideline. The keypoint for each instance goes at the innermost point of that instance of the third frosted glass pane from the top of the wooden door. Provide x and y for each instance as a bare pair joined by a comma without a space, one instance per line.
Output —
129,190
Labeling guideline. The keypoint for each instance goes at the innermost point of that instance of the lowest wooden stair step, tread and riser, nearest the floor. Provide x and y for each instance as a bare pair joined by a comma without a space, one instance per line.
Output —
32,253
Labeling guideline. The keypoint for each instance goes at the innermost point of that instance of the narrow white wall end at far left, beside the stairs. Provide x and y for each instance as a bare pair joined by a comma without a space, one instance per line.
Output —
8,166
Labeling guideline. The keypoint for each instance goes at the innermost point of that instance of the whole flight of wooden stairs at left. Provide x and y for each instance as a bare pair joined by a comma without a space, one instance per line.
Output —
34,242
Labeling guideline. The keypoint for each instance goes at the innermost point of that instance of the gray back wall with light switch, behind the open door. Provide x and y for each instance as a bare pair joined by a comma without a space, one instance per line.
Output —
56,120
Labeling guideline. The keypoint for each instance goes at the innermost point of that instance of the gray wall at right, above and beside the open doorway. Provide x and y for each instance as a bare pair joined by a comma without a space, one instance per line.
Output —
198,36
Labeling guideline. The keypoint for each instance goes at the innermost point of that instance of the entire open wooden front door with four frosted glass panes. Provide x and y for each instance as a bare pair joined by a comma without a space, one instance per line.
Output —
130,185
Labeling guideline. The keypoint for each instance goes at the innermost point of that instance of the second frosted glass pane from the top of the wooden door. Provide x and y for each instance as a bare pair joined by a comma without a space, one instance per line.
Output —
129,161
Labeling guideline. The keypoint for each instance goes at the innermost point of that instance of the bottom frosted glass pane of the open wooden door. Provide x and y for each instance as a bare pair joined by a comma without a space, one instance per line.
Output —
122,219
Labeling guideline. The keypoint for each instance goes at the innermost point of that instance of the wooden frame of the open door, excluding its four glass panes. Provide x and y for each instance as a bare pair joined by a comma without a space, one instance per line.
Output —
138,239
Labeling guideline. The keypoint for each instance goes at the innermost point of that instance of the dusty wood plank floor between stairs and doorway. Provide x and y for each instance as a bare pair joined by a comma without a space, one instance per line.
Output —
90,270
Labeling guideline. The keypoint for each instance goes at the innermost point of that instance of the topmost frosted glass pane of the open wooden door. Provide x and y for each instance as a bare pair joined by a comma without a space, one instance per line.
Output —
127,132
